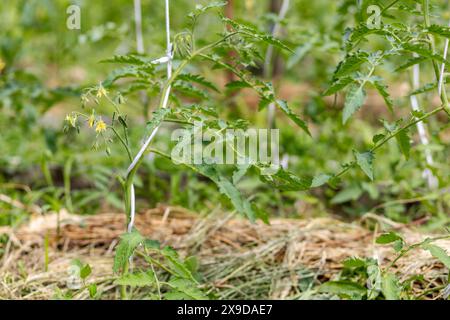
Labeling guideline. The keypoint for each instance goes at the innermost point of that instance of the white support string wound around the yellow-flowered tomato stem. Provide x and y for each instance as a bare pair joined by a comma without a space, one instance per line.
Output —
168,60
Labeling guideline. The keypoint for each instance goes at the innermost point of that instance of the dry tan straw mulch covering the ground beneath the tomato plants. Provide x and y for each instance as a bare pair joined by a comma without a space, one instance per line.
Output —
238,259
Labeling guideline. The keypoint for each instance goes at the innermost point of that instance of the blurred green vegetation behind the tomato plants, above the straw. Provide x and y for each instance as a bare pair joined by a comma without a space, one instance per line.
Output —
45,66
